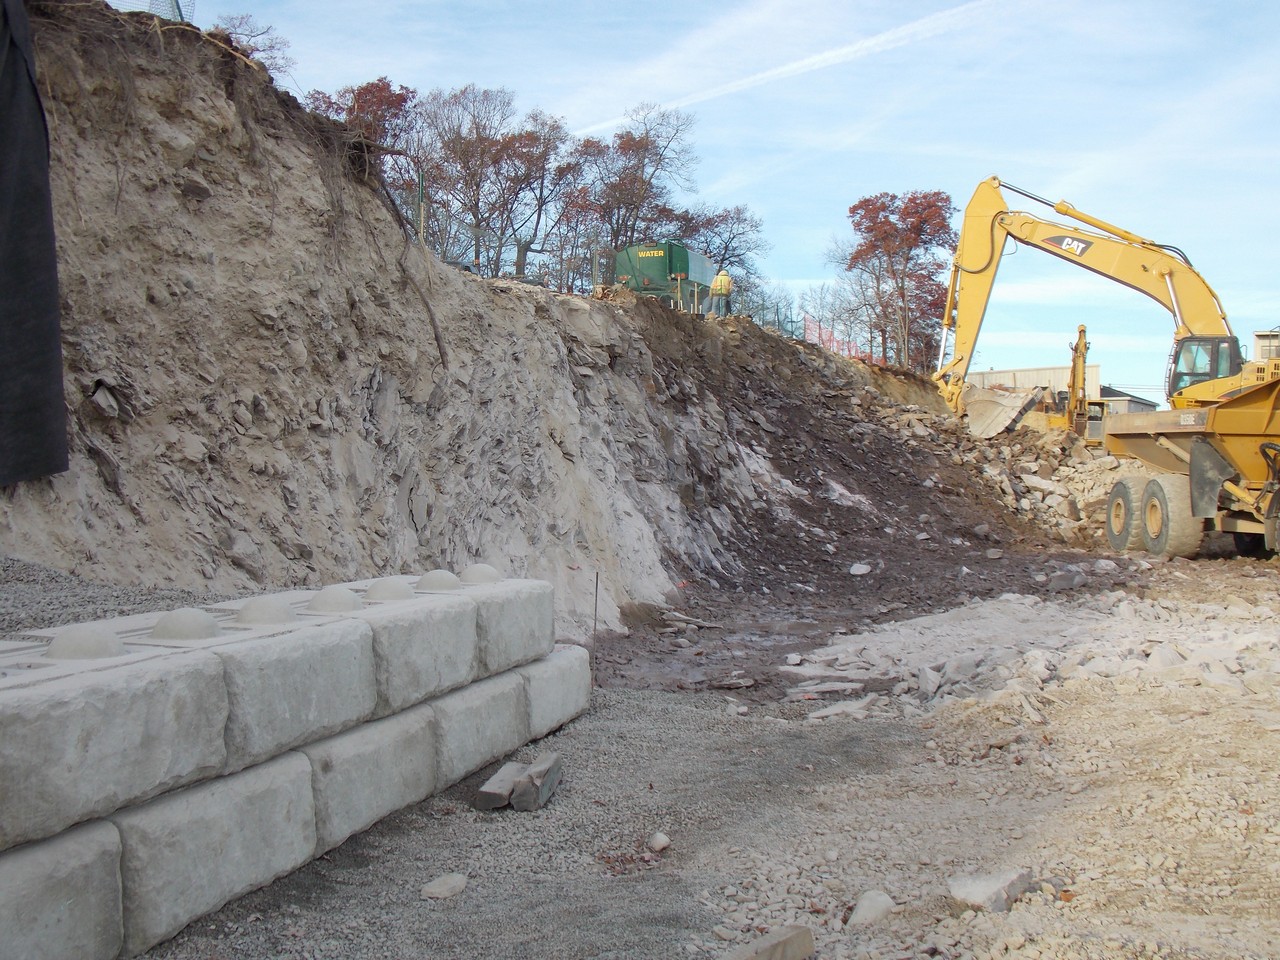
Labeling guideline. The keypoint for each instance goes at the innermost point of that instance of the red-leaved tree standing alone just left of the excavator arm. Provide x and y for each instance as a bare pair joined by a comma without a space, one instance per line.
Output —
897,259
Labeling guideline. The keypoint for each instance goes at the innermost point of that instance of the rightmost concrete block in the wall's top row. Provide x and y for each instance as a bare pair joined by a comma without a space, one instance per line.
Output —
516,623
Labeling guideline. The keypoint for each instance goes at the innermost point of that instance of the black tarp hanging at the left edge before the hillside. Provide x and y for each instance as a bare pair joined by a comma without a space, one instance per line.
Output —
33,413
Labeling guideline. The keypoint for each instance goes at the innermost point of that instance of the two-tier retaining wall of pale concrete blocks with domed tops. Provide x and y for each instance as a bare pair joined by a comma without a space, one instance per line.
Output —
208,753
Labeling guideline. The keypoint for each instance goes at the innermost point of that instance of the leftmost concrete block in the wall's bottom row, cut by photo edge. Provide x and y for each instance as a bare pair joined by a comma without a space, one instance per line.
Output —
61,898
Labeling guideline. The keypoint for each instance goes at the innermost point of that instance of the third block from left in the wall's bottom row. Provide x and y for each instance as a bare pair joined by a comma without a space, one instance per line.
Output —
369,772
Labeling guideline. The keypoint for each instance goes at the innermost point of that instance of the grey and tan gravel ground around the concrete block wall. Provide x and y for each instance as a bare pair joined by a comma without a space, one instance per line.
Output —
1145,806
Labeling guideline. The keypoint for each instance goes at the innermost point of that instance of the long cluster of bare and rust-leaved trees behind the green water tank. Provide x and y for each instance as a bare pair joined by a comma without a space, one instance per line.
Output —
509,194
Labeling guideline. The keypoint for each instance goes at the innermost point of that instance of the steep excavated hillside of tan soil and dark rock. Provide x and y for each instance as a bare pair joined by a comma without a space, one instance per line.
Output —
269,386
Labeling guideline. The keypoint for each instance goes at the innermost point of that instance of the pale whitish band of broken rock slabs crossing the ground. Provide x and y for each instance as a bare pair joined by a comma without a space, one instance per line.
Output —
1023,644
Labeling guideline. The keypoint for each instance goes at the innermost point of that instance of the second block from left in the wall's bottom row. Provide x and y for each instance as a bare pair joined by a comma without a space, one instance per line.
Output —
189,853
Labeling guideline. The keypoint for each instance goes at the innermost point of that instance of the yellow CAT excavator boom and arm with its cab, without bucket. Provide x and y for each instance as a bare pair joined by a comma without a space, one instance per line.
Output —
1160,272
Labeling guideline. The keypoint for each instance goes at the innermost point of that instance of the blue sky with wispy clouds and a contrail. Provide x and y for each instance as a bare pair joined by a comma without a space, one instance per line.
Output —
1159,116
